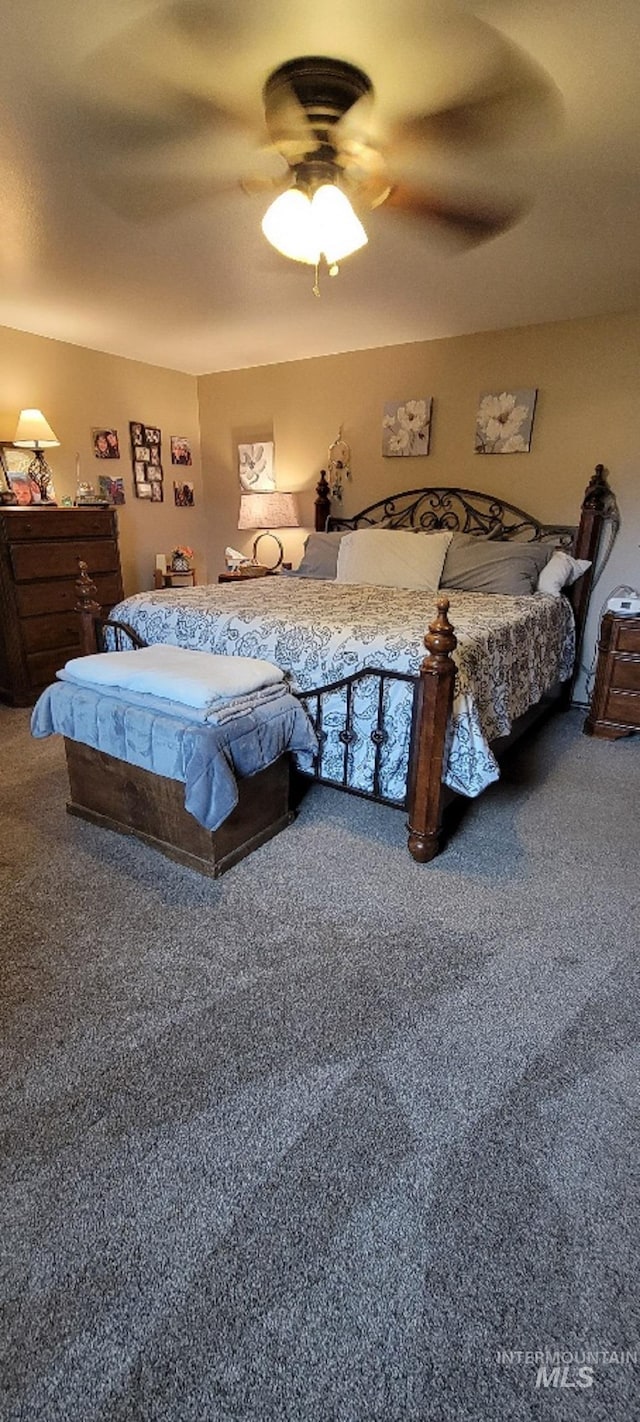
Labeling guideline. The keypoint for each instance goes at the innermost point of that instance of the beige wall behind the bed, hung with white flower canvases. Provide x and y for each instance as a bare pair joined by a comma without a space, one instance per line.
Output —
588,413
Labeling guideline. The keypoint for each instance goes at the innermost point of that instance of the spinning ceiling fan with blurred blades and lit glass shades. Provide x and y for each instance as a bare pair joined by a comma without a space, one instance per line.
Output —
341,153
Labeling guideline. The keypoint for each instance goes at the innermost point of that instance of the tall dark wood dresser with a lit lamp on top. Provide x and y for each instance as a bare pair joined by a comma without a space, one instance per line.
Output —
39,565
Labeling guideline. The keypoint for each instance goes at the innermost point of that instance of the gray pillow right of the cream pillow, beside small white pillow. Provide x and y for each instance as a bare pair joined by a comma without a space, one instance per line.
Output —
480,565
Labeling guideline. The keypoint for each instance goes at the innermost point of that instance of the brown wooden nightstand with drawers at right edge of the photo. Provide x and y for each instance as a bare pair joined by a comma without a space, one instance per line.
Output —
615,709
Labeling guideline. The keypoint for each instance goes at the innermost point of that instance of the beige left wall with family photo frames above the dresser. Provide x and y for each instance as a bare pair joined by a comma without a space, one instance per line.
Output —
78,390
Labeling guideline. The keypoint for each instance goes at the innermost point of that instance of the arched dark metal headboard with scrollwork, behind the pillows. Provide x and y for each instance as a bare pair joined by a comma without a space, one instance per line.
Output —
464,511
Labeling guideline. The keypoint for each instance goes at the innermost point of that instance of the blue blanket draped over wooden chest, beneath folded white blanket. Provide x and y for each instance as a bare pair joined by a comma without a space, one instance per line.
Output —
206,759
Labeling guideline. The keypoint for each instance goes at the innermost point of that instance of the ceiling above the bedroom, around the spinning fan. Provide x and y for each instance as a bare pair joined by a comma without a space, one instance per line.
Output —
196,287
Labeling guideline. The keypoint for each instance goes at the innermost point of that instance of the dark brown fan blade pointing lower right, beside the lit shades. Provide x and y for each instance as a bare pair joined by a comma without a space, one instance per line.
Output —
466,220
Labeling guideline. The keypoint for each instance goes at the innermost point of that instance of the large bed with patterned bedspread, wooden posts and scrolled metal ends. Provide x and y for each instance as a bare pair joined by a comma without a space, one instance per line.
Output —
395,725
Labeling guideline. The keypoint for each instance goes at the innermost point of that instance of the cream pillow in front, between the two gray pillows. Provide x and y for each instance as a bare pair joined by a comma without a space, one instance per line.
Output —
393,558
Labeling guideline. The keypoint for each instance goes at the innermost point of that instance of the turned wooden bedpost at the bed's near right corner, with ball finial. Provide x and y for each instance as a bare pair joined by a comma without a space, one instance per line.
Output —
433,710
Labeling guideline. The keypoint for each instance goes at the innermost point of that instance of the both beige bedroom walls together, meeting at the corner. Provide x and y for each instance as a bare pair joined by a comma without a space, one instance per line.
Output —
588,413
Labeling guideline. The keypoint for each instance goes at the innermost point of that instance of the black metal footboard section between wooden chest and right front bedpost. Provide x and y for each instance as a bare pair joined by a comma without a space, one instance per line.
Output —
315,703
